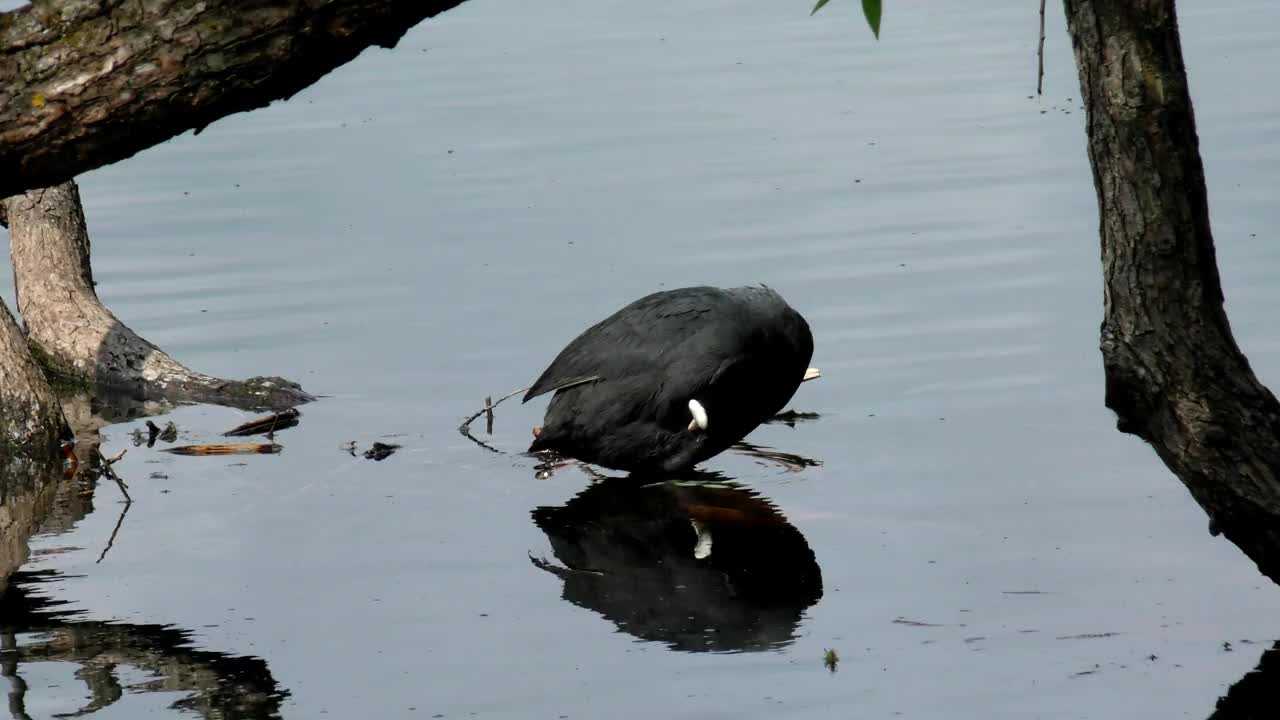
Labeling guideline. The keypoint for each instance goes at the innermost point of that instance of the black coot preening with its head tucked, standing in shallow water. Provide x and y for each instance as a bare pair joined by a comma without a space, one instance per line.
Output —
674,379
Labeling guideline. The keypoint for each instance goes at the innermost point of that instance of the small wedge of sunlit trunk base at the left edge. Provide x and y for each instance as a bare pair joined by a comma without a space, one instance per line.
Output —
31,422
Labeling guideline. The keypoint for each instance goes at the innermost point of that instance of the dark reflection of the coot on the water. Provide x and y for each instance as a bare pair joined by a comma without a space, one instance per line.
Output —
701,564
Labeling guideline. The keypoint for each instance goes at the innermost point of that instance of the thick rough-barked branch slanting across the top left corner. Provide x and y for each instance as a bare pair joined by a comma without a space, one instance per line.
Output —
88,83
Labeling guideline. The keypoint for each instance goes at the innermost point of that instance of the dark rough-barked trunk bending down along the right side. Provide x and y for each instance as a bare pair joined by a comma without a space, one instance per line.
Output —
1174,373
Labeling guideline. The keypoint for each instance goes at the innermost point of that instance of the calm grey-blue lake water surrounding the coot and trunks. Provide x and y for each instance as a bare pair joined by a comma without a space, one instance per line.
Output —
429,226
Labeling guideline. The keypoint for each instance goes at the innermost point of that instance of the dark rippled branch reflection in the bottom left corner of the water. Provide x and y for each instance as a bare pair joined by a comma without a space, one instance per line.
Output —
220,686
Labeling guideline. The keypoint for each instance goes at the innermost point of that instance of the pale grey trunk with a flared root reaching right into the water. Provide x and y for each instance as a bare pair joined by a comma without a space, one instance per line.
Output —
77,339
